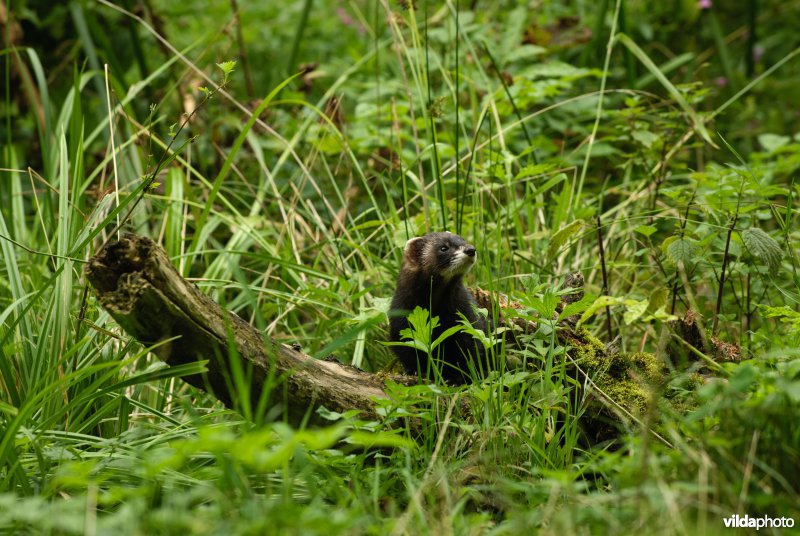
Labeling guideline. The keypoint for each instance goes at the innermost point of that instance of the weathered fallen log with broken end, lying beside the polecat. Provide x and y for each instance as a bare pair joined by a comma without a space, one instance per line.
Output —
136,283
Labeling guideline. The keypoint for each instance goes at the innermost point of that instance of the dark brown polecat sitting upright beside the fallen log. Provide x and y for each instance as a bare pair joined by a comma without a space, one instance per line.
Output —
432,278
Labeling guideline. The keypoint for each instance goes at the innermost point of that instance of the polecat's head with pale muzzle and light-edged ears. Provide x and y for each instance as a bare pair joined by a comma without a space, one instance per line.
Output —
443,254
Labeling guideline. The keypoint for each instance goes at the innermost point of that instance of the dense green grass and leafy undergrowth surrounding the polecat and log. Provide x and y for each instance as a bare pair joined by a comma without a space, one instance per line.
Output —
653,149
